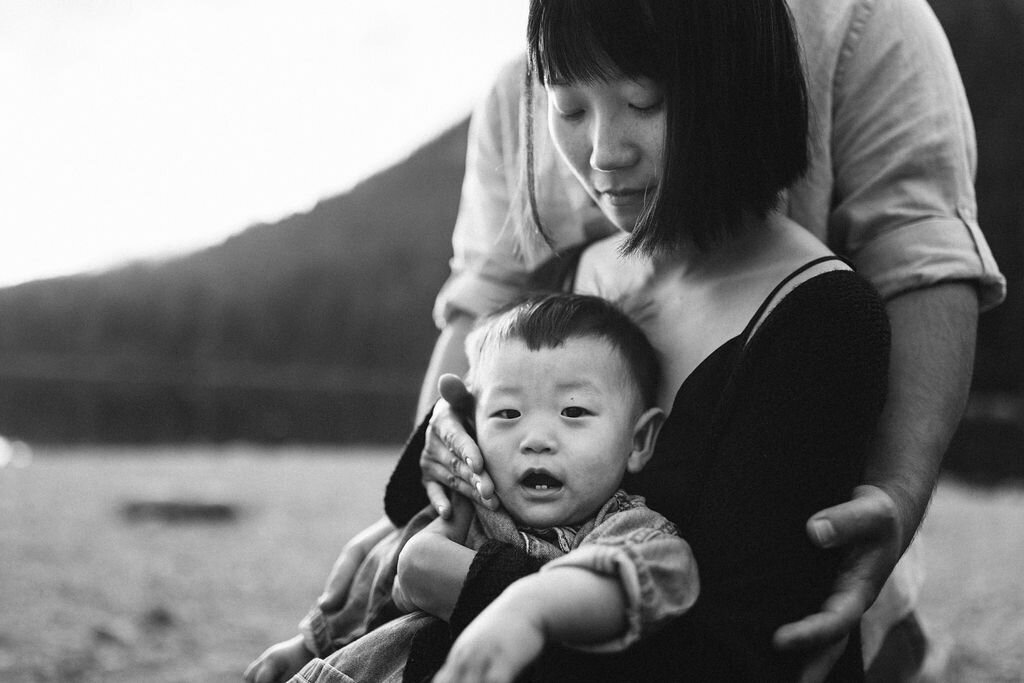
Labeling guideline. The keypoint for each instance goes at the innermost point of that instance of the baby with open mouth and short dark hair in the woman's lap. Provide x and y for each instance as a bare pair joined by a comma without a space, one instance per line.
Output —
566,390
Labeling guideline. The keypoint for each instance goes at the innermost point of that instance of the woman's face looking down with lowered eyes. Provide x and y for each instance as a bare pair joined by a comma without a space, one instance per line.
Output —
612,135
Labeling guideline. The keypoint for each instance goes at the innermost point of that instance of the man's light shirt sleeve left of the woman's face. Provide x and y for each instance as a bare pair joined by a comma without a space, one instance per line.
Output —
495,245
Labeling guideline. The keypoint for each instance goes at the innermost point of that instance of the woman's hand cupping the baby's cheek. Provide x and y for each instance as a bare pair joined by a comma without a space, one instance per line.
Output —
451,458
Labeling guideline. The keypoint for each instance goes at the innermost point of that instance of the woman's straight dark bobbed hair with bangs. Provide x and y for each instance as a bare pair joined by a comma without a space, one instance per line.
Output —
735,93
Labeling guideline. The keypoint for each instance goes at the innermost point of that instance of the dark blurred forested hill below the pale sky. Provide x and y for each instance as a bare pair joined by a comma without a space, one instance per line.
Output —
318,327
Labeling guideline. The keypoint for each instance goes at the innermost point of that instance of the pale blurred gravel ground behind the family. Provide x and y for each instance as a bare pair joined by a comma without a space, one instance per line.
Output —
98,586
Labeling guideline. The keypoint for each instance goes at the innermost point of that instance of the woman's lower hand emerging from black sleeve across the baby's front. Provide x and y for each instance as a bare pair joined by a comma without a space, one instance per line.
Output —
434,565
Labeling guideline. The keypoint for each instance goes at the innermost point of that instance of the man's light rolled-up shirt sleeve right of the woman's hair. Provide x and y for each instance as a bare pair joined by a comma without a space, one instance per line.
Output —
909,219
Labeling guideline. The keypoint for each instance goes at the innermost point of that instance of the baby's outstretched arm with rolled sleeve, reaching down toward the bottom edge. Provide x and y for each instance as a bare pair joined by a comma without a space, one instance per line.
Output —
627,580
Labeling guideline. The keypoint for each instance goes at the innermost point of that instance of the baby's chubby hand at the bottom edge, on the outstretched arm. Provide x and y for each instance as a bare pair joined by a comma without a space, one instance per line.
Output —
494,649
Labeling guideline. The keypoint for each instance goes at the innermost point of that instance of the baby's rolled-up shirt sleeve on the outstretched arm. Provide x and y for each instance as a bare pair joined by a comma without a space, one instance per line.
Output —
655,567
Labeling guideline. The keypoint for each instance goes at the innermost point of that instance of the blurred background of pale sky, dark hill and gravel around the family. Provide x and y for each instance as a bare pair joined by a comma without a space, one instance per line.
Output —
224,228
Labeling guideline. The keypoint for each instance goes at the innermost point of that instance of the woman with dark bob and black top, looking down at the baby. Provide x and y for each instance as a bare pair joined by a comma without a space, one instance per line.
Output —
686,122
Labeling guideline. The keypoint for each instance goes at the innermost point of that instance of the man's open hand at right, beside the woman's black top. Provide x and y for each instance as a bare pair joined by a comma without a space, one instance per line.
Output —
869,530
